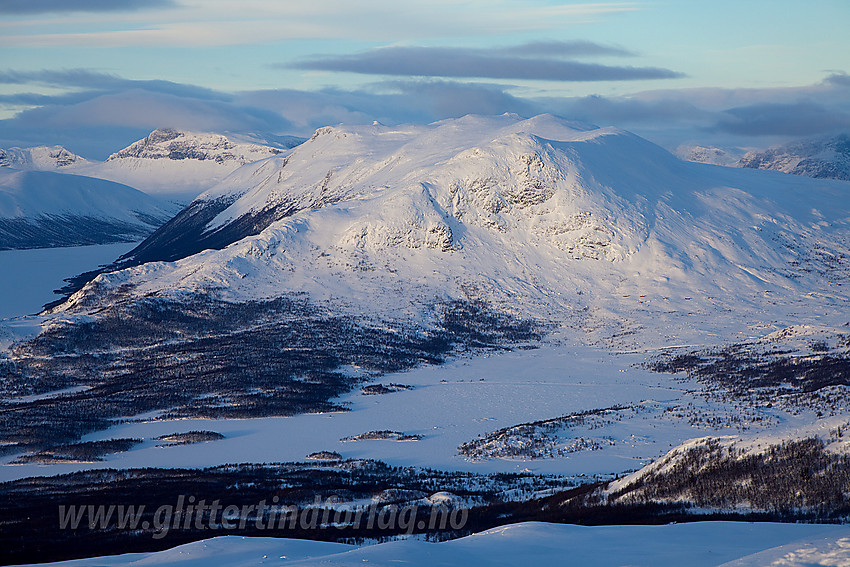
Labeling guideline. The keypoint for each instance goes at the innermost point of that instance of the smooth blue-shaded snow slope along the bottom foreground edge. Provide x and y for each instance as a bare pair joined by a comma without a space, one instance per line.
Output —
704,544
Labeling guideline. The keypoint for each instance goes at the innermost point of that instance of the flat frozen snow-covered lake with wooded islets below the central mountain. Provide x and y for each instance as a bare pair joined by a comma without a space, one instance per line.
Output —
456,403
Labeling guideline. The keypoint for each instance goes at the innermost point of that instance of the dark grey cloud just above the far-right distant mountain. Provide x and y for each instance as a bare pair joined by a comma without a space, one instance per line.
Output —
772,119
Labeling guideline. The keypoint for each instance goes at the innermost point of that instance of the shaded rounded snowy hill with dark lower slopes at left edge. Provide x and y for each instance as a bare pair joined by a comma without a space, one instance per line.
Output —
44,209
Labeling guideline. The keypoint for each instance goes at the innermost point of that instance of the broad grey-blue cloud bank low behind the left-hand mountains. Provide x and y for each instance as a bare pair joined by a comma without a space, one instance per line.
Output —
95,123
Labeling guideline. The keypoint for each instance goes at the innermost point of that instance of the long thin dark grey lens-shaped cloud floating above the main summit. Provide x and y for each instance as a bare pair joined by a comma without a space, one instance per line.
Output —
493,64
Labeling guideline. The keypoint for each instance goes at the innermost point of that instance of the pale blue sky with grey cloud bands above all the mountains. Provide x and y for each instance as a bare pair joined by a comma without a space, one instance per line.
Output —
96,75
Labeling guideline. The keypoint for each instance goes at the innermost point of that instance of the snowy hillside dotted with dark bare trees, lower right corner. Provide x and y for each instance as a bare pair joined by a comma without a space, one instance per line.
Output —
802,469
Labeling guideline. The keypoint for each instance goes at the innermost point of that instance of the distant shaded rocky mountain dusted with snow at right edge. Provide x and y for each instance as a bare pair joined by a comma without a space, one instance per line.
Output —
827,158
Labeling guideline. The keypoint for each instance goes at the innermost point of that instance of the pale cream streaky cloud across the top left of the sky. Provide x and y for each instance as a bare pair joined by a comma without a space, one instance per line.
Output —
212,22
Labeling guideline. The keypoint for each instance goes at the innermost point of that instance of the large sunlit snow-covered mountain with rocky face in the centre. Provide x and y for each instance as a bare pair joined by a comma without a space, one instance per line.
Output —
540,216
